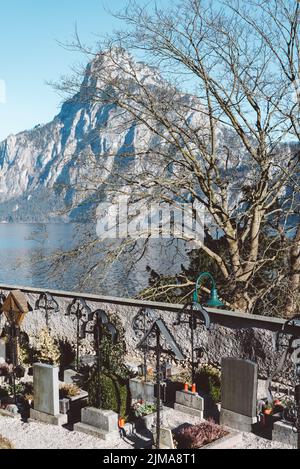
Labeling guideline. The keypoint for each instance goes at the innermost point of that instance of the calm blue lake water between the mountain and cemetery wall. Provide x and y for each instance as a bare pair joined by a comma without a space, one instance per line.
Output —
28,252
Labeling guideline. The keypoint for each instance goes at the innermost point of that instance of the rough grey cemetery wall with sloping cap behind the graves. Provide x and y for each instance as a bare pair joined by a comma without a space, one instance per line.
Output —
232,334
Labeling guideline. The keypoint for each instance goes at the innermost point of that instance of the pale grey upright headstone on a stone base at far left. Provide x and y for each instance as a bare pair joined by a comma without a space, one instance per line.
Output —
46,395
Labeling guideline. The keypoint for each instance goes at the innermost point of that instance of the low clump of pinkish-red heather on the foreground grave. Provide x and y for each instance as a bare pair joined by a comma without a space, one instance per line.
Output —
197,436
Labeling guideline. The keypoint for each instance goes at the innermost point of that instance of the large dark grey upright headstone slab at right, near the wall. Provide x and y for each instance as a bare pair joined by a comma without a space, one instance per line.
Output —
239,394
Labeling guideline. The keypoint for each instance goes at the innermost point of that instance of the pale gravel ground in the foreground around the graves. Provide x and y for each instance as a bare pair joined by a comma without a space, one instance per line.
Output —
36,435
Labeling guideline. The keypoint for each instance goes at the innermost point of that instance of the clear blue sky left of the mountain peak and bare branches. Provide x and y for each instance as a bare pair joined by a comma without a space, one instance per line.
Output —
30,55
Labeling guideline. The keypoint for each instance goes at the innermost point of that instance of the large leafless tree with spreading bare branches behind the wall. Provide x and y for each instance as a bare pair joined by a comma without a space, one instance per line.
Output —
217,120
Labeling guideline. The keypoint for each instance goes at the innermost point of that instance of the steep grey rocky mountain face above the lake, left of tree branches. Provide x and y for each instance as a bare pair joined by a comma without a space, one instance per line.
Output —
40,167
